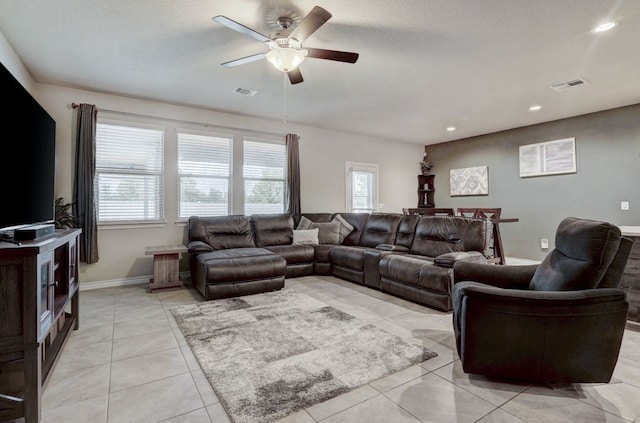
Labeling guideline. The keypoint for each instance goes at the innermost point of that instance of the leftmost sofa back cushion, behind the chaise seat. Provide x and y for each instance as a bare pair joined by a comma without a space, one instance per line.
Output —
222,232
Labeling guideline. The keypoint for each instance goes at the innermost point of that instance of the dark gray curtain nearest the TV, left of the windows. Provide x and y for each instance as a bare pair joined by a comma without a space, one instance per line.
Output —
84,205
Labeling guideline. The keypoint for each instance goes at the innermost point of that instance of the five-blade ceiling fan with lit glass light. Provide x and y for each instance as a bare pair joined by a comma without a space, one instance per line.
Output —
286,51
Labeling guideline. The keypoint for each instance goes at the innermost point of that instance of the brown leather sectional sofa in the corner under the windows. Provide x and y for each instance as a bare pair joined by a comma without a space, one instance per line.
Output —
410,256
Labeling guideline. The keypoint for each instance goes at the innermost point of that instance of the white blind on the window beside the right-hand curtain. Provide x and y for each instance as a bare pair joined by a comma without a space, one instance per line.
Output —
264,172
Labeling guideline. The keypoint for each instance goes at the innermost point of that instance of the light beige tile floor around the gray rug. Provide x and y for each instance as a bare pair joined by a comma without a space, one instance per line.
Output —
128,362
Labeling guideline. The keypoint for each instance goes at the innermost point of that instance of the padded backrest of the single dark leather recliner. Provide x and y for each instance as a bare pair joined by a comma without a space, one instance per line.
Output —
584,250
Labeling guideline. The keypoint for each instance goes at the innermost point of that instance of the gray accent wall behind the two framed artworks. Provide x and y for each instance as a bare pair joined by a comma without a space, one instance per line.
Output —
608,170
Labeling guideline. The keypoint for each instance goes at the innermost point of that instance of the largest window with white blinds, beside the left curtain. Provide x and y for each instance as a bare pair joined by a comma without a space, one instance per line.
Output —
129,172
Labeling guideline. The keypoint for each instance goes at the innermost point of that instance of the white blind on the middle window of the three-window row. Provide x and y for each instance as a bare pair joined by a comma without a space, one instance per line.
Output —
204,163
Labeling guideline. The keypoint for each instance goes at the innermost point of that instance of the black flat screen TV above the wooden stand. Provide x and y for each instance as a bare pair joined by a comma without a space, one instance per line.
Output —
28,157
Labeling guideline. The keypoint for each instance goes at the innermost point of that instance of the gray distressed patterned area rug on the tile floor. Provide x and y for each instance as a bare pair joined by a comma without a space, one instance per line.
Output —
269,355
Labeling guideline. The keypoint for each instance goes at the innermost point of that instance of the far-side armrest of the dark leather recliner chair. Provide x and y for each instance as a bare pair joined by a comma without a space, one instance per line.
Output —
494,274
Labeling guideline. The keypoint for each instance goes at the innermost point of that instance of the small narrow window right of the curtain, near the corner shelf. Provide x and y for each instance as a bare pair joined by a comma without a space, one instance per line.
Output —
362,187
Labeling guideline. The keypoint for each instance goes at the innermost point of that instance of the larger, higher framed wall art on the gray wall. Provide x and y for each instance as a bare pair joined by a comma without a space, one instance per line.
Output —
548,158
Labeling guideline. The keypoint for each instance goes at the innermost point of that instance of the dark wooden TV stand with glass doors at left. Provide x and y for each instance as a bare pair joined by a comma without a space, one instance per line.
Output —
39,307
